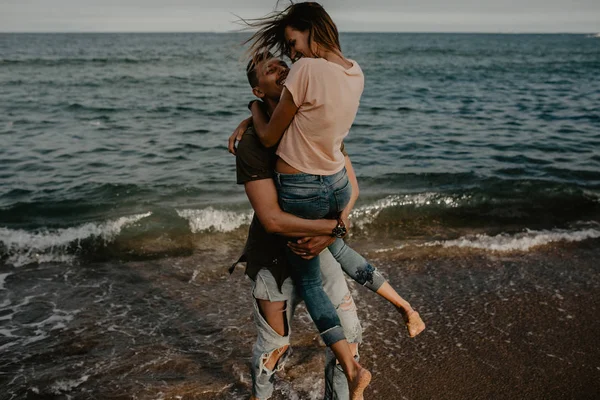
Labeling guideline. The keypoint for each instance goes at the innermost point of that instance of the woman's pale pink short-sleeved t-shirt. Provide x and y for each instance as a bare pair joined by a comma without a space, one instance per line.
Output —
327,96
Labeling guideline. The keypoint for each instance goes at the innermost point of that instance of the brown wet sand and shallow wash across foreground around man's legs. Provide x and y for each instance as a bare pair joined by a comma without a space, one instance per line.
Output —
500,326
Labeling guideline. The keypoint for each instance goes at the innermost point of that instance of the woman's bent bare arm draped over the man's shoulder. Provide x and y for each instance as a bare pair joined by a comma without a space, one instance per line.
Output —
270,131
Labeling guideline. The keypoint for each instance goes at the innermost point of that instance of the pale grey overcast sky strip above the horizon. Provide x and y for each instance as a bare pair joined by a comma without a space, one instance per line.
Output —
349,15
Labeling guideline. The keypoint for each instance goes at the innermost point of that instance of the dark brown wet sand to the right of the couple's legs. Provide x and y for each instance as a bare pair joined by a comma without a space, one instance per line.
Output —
499,327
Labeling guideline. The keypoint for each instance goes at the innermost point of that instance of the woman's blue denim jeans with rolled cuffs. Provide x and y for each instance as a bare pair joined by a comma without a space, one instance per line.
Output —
313,197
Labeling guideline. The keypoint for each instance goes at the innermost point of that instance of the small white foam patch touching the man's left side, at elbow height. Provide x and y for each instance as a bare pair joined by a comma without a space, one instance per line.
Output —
211,219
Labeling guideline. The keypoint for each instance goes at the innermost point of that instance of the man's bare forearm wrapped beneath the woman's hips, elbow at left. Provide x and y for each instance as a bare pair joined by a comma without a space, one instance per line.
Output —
263,197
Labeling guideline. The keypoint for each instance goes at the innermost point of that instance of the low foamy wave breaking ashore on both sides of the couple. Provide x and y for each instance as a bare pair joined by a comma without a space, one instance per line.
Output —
416,216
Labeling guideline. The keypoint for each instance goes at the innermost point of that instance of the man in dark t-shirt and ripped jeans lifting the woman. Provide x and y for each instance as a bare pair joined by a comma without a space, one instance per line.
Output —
273,291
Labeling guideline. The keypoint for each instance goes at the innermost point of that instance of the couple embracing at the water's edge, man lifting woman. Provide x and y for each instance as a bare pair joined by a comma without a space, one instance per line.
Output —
301,184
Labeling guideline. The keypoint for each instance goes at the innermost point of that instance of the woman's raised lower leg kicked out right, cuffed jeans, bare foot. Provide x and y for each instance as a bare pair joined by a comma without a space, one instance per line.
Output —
356,267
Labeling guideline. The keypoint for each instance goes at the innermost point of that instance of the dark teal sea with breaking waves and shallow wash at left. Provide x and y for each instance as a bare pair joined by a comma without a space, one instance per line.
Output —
119,208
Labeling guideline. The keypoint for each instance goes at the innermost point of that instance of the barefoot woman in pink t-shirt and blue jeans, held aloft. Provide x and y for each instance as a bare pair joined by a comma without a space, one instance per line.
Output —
317,108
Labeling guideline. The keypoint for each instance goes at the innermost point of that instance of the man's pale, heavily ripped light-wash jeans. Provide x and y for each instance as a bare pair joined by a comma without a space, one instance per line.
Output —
268,341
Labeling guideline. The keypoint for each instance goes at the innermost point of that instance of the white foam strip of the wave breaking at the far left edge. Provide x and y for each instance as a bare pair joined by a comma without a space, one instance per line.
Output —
50,245
